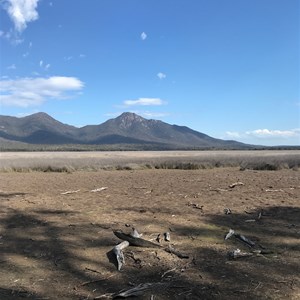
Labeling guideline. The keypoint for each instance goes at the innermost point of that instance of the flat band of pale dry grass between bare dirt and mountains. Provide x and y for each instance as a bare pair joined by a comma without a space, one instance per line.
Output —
93,161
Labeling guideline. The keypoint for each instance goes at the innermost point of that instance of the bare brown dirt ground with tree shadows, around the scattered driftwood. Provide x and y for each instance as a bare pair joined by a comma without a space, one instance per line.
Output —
56,234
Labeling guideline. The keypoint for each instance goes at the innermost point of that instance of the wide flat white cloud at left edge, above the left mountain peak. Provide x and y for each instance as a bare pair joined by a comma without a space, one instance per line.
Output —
27,92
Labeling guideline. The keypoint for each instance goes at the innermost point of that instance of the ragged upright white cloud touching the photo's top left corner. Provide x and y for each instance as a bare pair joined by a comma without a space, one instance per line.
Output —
21,12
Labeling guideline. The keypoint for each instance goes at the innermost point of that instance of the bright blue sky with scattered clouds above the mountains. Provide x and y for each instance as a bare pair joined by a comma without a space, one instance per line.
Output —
229,69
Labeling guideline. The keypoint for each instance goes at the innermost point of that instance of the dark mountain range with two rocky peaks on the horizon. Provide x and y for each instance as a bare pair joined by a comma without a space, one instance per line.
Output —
127,129
